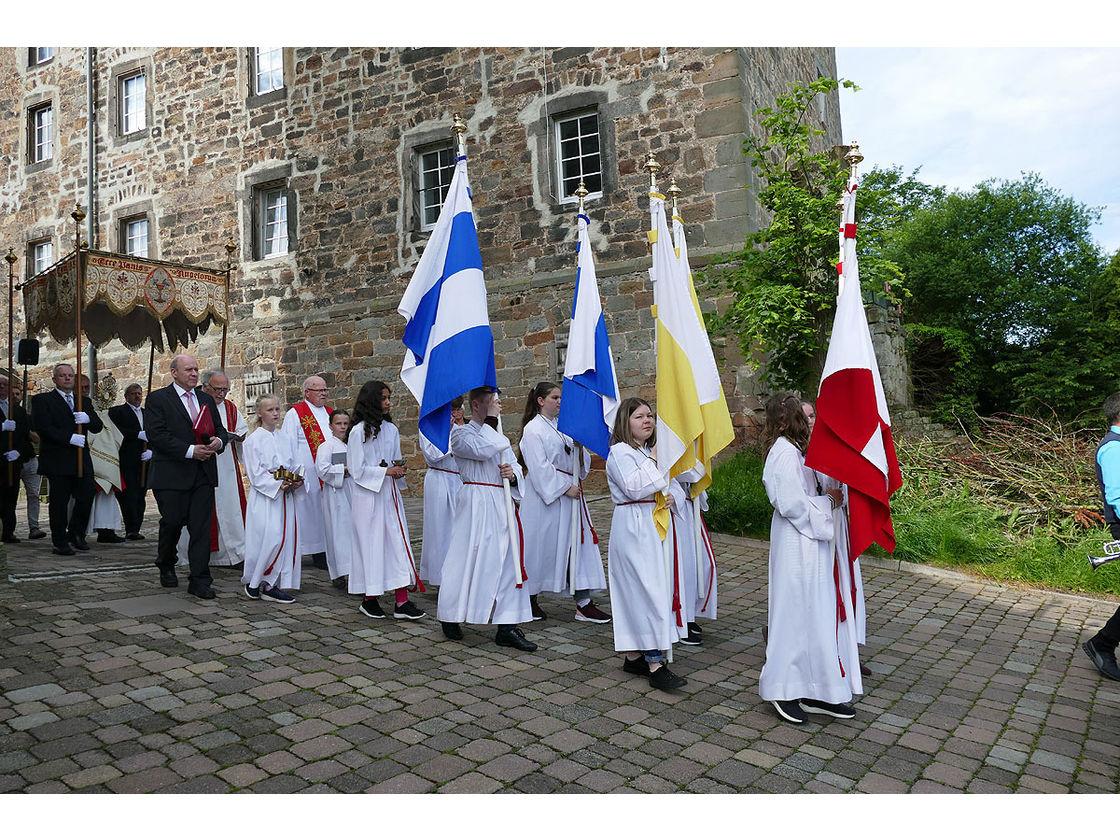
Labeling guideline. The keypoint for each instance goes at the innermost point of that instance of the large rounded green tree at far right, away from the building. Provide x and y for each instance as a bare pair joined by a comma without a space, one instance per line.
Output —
1011,267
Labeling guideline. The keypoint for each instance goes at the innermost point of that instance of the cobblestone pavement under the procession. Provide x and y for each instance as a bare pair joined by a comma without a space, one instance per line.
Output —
110,684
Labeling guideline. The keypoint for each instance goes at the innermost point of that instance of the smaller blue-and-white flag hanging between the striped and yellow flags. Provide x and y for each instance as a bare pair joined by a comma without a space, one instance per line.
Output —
591,388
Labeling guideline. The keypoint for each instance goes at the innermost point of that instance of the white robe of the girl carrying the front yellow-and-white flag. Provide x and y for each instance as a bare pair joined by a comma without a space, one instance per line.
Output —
641,590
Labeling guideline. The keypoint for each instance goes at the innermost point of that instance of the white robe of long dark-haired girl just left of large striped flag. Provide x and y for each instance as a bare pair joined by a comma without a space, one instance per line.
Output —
381,558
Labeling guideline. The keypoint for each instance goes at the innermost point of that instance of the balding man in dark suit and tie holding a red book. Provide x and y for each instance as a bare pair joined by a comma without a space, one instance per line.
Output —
185,433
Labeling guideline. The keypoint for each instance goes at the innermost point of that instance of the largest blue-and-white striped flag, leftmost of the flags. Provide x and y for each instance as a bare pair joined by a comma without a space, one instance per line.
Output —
450,347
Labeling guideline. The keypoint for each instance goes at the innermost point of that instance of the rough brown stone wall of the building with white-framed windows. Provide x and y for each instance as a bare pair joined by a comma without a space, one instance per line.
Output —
342,136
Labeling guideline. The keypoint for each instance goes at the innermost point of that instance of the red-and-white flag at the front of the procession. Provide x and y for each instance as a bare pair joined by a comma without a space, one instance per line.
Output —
852,441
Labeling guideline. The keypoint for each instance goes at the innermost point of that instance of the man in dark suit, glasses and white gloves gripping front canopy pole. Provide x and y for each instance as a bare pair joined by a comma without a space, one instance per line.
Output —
55,418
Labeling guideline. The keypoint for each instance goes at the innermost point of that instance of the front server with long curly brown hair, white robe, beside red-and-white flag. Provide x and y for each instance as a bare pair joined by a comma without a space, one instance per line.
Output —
813,661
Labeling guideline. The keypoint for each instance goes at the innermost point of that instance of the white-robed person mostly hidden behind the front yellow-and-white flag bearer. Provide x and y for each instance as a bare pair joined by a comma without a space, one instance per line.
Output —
696,565
